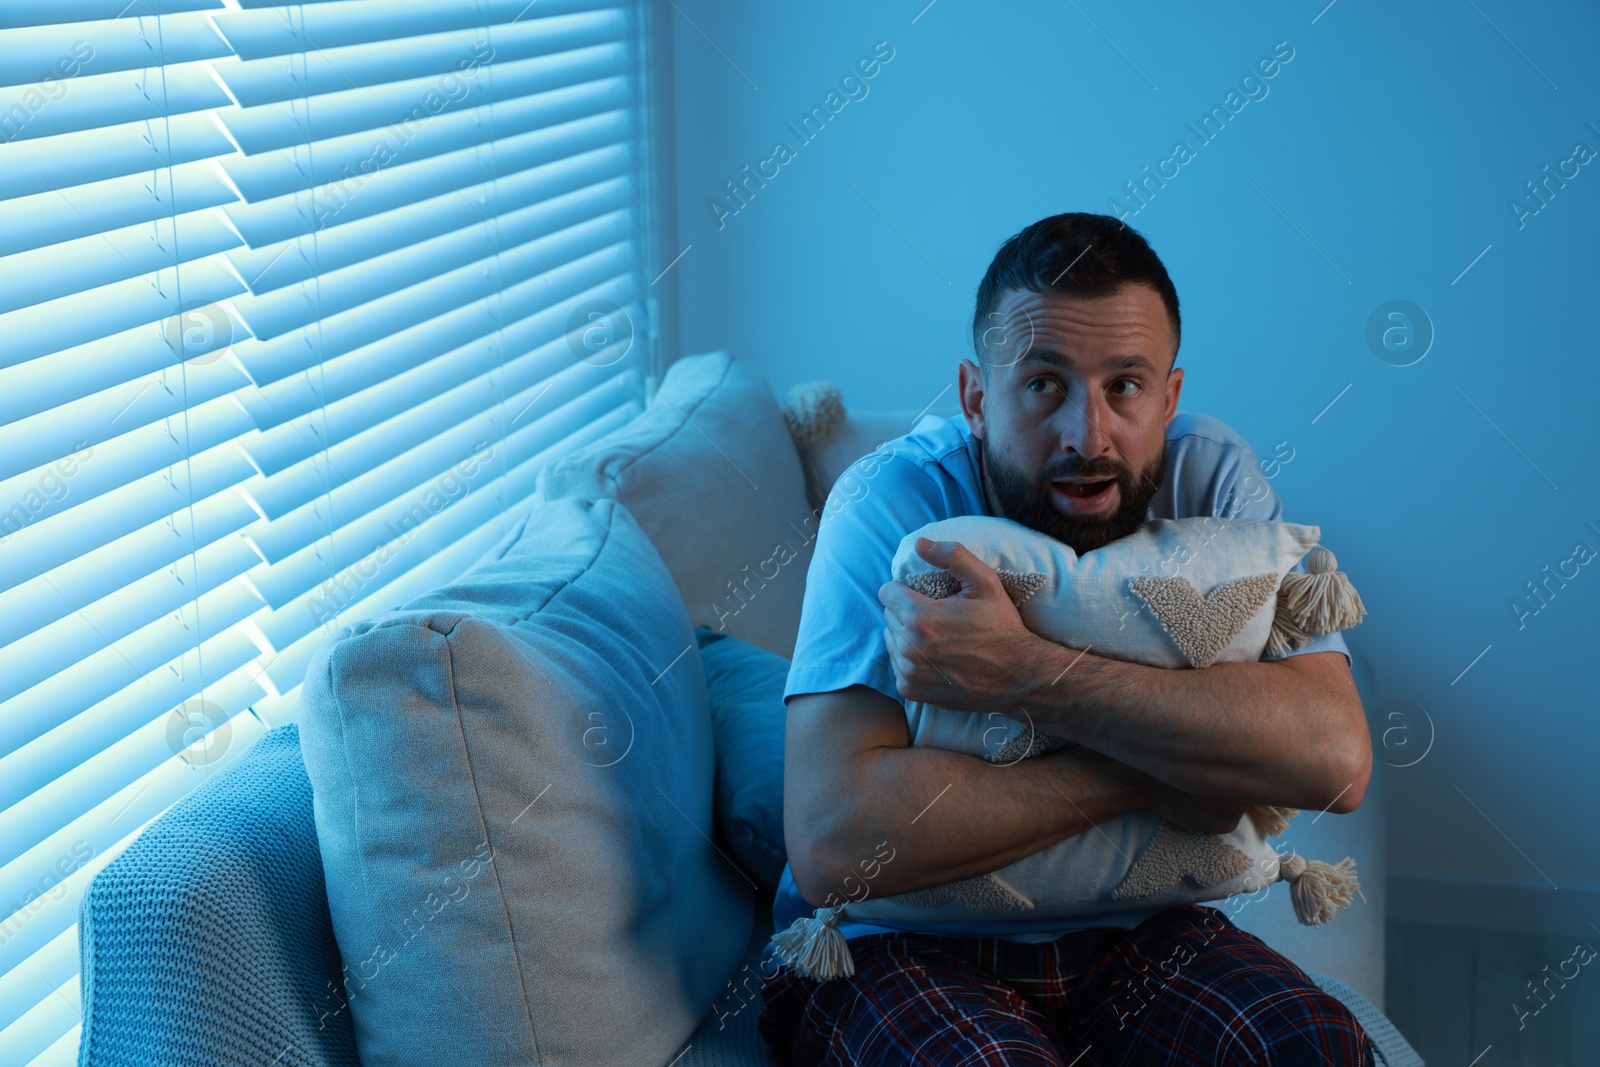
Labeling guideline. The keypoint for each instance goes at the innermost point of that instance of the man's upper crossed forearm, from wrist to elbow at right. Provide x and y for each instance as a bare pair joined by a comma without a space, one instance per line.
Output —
1281,733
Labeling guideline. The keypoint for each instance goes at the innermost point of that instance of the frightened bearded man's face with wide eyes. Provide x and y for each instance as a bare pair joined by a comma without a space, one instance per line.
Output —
1073,417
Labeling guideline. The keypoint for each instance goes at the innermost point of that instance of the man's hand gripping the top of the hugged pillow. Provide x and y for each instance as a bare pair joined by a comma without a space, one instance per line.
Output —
966,652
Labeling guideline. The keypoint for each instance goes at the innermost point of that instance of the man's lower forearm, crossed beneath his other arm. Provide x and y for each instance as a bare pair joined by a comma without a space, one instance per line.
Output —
946,815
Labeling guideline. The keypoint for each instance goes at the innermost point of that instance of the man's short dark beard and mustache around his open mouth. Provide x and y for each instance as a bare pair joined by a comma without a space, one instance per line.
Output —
1028,498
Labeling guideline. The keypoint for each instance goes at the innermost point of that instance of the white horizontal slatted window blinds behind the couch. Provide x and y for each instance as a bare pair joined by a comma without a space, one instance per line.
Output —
295,302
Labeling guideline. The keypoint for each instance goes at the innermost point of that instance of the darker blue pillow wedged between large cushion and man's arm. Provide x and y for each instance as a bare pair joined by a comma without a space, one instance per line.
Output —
745,687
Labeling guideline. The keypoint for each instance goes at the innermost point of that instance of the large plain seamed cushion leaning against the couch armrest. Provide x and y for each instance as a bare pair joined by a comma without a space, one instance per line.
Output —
513,786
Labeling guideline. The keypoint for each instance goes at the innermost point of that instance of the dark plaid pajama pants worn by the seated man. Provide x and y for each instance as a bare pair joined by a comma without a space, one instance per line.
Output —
1183,988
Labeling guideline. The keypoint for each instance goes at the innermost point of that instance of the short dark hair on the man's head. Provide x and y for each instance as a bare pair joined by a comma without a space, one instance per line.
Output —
1078,254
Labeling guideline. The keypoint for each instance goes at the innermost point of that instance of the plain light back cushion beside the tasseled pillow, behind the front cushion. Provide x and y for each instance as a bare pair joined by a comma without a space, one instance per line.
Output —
711,474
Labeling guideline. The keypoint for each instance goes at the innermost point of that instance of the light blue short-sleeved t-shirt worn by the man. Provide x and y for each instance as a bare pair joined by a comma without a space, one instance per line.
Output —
932,474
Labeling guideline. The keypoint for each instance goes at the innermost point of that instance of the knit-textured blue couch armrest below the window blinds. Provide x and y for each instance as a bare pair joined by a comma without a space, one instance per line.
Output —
209,940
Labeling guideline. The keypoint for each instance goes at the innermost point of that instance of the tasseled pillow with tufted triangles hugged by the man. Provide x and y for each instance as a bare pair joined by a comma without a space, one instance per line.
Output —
1182,593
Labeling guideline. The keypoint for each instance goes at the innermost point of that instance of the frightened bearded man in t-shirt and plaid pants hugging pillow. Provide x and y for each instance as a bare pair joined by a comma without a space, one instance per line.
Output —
1071,428
